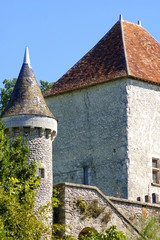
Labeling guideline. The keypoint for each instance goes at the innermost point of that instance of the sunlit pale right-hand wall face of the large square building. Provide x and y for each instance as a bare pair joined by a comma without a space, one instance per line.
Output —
143,127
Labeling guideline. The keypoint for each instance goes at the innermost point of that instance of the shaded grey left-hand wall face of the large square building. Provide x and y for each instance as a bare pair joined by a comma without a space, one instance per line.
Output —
92,133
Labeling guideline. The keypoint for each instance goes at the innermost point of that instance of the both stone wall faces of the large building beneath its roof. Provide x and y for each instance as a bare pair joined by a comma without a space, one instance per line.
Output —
113,129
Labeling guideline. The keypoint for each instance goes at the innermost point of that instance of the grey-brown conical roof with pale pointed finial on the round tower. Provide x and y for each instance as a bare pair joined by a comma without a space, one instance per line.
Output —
26,97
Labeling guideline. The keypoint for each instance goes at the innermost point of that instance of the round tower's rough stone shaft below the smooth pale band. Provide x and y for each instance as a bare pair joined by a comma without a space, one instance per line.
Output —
40,147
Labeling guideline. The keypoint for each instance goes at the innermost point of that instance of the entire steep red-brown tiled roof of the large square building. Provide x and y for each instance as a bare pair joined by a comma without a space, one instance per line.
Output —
127,50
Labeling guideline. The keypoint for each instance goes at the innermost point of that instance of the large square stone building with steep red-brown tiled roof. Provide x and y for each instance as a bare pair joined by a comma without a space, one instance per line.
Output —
108,111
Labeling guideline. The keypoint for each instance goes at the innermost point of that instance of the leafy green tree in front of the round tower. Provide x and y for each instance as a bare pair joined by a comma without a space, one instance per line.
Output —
18,188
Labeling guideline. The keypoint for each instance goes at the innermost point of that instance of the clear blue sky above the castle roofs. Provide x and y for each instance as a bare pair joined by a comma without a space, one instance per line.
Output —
59,32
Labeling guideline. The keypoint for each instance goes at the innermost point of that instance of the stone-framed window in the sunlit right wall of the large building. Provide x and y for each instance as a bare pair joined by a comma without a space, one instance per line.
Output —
155,171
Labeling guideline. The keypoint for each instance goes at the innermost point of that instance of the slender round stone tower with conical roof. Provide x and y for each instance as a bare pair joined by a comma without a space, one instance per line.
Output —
28,115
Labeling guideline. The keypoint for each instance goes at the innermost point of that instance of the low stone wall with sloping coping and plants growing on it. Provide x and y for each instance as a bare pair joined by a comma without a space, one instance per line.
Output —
125,214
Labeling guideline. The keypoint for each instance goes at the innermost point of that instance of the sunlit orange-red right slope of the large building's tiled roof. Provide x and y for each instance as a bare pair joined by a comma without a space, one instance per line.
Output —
142,53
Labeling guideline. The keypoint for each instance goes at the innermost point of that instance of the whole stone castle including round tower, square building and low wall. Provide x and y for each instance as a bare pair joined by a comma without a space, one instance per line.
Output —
107,154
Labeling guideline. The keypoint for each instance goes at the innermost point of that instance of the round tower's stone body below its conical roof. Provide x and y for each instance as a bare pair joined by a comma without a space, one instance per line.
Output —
39,131
